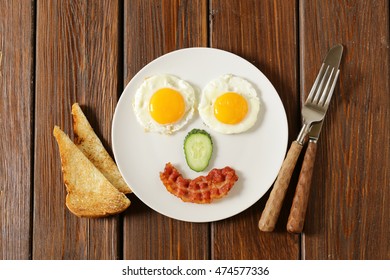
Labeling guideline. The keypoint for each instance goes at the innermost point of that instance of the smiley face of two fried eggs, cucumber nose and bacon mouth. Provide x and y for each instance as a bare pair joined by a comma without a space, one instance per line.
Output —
229,105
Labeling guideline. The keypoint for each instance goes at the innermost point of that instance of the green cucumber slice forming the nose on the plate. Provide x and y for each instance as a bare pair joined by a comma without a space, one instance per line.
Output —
198,148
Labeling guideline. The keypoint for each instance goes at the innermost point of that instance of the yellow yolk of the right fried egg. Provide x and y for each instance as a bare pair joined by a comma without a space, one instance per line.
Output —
230,108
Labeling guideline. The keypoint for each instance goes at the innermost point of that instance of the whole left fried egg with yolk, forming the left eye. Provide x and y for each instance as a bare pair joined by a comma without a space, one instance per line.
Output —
164,103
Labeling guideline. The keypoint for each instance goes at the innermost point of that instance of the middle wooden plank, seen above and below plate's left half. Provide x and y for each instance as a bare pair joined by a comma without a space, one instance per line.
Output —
153,28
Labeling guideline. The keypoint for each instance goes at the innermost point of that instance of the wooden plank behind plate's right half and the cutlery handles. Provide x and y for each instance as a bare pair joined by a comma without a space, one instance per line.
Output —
264,33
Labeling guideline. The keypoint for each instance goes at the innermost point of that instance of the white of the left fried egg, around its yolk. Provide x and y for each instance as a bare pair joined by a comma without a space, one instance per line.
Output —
146,90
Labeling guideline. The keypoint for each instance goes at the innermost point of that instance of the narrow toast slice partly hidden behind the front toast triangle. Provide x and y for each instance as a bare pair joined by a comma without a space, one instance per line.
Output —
88,142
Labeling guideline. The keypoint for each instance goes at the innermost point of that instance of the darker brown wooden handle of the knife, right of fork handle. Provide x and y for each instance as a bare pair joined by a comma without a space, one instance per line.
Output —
296,219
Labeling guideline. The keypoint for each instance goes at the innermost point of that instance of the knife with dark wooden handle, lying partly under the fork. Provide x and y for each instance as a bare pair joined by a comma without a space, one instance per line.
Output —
297,215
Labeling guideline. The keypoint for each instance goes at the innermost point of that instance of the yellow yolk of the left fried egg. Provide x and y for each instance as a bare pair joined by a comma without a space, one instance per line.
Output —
166,106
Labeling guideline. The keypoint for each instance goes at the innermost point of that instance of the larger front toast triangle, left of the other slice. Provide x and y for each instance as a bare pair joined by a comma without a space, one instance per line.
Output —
89,193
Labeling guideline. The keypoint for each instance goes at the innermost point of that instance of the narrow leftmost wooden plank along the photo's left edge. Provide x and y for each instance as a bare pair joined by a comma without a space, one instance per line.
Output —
16,111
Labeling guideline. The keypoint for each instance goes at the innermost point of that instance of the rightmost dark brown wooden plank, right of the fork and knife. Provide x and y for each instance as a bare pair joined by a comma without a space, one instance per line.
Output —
349,214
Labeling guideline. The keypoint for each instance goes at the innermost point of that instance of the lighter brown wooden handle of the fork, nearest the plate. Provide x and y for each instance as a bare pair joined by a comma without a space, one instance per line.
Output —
274,204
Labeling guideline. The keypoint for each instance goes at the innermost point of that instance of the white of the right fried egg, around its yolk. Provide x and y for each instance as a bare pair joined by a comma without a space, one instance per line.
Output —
219,86
